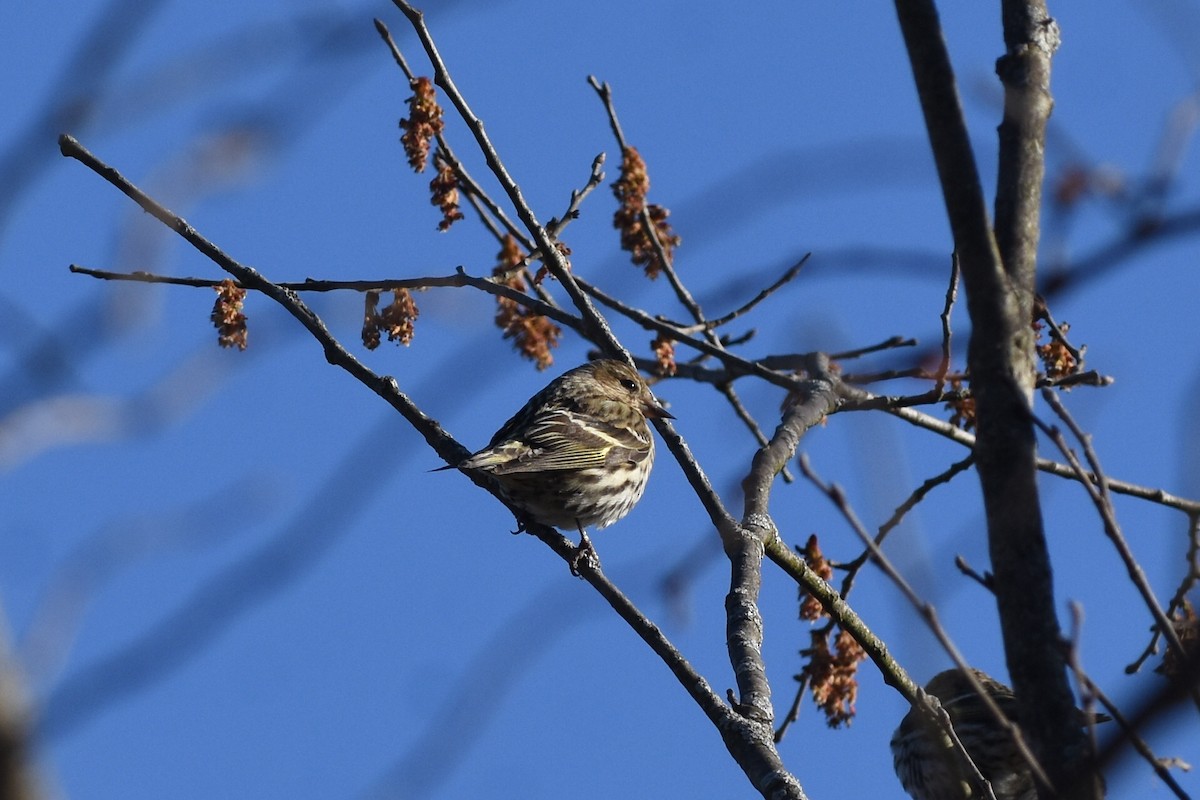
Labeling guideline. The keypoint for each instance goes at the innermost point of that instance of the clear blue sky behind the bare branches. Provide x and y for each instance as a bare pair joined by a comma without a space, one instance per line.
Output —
233,575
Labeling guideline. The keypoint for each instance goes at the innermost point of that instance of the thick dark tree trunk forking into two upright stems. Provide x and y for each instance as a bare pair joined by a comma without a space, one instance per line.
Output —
1001,358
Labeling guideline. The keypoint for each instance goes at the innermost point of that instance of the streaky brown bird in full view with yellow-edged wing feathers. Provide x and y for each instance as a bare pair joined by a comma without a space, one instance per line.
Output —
578,455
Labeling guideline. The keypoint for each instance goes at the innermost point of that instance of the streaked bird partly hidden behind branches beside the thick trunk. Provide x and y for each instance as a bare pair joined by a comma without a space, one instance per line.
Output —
929,769
